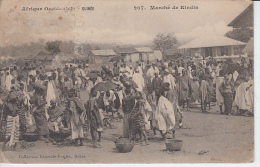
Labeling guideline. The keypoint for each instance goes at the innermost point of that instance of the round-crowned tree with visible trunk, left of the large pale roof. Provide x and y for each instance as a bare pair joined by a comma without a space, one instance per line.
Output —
164,42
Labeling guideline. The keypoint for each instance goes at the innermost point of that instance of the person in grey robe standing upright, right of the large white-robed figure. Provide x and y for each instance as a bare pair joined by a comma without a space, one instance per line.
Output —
184,89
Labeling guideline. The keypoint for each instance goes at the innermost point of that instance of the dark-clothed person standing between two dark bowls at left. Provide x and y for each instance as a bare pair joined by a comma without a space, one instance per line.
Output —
38,102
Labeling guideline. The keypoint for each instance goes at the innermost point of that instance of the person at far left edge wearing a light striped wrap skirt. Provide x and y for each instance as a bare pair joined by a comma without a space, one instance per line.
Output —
12,118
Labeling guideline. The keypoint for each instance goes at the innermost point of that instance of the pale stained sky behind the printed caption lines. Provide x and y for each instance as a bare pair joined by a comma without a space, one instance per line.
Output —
114,21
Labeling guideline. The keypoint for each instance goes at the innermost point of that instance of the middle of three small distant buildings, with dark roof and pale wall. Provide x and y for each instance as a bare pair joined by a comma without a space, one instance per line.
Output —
128,54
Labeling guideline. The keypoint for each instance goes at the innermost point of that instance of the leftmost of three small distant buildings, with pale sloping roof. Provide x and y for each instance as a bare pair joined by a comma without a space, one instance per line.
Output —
100,56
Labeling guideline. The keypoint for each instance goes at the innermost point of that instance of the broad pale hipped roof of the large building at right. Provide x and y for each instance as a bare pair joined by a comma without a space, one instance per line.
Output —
211,41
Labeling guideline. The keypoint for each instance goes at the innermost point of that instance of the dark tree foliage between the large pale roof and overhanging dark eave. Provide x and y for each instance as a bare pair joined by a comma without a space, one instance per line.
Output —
240,34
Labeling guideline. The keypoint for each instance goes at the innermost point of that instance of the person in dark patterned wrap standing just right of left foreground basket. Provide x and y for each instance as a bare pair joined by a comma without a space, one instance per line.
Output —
136,119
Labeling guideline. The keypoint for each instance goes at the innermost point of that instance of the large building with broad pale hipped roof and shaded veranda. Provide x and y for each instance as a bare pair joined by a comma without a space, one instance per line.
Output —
211,46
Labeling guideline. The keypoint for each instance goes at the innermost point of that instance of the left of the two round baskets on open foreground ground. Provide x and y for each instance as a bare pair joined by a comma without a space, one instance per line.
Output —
124,145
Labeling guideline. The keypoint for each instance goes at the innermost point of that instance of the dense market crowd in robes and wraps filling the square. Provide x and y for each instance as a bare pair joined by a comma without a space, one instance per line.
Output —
150,95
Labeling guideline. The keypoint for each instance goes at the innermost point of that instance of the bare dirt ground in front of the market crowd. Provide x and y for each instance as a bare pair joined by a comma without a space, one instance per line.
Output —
207,138
